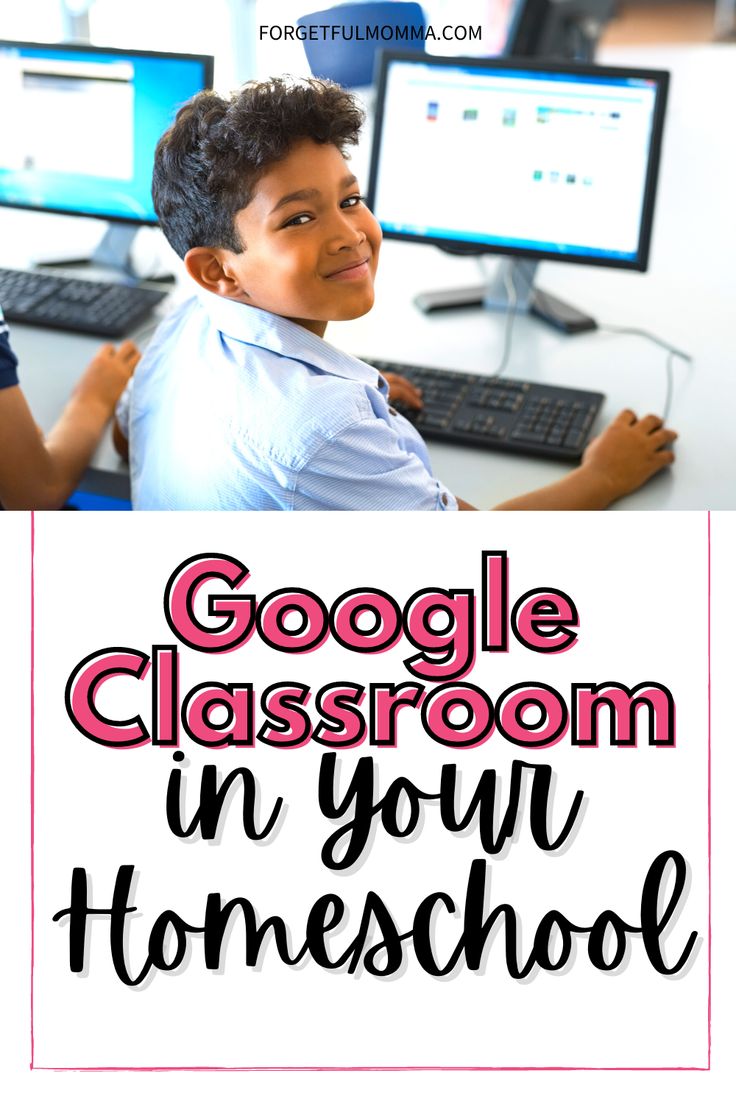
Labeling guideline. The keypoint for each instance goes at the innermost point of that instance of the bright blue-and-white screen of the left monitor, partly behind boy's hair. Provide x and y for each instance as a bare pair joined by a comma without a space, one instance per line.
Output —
81,125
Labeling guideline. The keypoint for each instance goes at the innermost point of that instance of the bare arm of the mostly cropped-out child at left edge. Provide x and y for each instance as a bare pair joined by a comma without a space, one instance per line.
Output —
41,475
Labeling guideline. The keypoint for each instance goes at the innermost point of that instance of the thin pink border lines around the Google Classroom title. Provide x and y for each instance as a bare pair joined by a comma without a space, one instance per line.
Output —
349,1069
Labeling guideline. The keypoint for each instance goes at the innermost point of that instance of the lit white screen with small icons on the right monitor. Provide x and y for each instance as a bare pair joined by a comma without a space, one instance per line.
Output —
536,161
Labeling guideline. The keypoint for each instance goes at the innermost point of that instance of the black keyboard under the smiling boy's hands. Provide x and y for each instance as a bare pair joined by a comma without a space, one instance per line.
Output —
498,413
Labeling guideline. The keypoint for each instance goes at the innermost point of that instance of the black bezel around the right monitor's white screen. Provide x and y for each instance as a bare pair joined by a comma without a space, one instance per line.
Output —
662,78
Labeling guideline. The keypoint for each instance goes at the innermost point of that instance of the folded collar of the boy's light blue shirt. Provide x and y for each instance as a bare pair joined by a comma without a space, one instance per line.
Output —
257,327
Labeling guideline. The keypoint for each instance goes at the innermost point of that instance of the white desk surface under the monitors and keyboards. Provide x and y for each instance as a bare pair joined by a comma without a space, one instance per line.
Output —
688,299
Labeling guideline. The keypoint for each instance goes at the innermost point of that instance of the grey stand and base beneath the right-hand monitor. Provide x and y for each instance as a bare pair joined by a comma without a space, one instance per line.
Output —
518,278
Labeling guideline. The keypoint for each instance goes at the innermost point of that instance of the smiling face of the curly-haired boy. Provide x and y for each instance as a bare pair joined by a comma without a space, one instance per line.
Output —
312,246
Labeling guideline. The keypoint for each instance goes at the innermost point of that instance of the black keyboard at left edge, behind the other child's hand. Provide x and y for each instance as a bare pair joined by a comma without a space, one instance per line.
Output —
80,305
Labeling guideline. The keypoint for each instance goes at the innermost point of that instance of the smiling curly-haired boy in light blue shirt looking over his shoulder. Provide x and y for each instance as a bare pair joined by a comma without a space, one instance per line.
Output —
240,404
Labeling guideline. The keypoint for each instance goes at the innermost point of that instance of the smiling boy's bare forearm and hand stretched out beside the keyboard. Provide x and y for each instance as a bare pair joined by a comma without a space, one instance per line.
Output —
625,457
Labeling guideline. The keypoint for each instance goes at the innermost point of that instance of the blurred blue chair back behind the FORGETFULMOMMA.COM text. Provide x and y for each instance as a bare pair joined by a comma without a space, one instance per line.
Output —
349,60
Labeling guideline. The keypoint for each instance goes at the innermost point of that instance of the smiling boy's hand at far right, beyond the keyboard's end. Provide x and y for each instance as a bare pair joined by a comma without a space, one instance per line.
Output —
630,452
